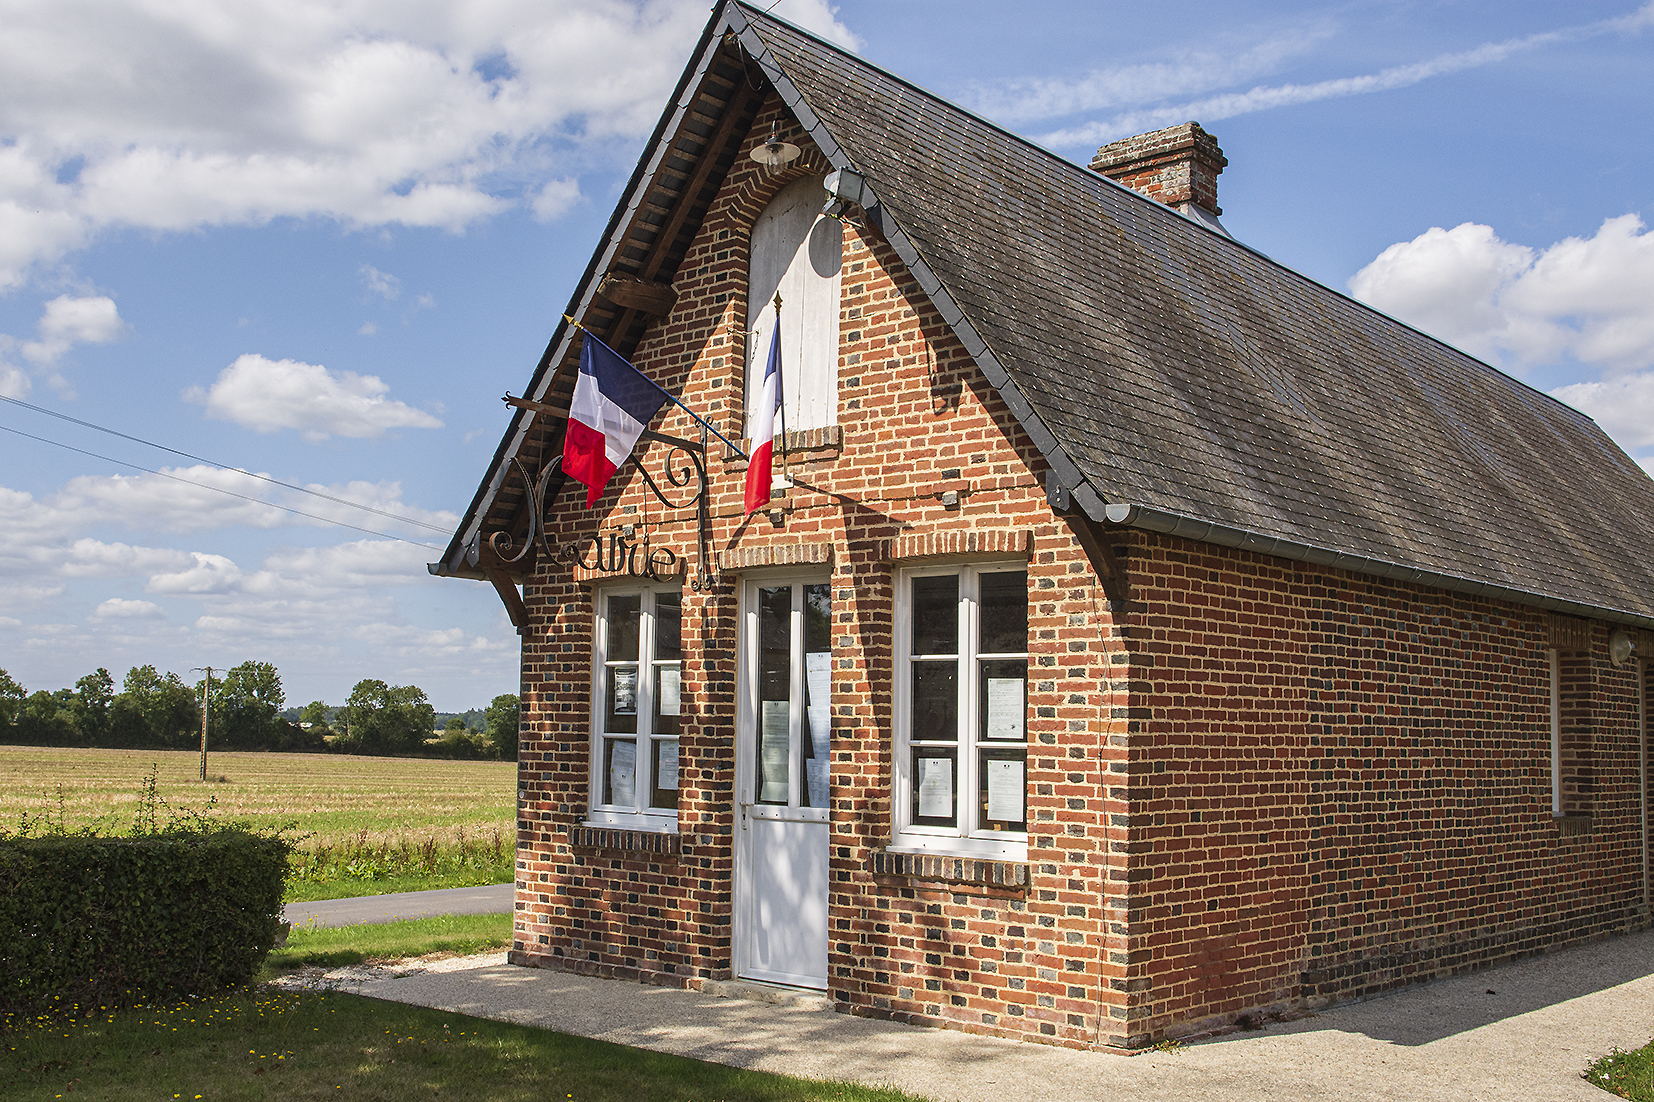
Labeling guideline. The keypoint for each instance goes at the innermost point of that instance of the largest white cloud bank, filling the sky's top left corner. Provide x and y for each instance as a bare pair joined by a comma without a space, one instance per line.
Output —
368,112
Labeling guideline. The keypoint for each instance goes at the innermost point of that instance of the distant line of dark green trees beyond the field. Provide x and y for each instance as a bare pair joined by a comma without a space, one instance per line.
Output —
247,711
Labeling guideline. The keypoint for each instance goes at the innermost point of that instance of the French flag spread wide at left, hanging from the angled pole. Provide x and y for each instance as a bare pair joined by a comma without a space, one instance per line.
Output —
613,405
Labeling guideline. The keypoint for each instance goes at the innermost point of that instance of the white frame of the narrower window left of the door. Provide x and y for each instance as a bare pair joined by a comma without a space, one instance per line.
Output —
639,815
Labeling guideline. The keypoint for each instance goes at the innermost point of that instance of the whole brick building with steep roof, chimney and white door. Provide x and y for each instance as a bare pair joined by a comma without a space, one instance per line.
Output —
1144,635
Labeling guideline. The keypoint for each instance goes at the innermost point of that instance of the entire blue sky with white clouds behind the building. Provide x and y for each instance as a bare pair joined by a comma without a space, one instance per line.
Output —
320,241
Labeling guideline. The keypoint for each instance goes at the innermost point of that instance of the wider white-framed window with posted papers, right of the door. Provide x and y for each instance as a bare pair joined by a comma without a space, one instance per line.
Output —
962,711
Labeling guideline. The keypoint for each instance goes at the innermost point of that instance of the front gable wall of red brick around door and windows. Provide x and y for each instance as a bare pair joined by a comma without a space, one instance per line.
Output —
915,419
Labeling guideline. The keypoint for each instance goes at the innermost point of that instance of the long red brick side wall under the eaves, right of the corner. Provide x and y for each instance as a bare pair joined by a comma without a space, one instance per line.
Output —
1341,785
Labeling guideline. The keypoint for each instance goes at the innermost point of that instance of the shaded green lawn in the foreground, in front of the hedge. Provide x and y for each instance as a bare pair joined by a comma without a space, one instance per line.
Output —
264,1043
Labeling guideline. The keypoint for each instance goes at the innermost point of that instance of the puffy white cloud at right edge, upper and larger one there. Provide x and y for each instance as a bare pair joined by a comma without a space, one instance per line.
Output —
1584,299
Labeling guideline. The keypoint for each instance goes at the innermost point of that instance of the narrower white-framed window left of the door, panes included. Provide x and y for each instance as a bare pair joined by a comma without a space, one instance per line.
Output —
636,706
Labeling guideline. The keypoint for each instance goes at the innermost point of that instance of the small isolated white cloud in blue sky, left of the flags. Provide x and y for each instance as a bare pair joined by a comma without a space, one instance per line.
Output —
269,396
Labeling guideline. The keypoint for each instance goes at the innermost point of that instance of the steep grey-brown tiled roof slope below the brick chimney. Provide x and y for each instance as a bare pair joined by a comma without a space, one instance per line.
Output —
1217,391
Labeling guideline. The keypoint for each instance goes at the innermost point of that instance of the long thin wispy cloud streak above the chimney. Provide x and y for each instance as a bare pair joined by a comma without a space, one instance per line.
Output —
1263,98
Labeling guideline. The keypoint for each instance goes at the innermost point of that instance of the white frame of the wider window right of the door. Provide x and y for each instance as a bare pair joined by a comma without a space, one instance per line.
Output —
963,840
